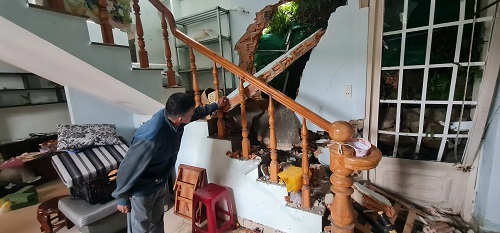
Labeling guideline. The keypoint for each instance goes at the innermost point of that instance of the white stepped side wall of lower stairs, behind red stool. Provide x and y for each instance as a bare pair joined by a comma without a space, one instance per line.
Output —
258,202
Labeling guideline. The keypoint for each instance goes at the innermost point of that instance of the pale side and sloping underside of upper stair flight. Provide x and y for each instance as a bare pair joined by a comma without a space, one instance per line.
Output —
31,50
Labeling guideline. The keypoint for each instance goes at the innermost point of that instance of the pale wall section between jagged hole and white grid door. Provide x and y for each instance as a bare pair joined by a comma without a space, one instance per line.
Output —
339,59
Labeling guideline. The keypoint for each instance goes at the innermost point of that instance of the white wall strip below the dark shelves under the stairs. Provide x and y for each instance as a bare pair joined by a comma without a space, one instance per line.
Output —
19,122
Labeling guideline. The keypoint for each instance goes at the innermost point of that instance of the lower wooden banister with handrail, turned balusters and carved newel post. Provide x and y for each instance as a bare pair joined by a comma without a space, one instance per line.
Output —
343,159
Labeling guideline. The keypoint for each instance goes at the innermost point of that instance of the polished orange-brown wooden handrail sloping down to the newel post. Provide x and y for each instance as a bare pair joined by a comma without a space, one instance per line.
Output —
273,93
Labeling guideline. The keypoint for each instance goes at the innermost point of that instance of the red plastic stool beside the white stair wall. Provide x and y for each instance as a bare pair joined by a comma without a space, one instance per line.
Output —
209,196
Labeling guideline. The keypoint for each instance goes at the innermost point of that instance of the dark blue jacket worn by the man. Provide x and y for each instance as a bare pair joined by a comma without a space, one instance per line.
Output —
152,155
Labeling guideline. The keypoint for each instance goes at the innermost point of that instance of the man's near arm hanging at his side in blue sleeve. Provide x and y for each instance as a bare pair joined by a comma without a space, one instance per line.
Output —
133,165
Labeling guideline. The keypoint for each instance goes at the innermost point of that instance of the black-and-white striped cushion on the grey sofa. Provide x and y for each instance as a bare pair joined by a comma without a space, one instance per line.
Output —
76,167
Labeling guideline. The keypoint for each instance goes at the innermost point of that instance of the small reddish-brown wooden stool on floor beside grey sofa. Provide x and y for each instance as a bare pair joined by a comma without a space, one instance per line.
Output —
45,212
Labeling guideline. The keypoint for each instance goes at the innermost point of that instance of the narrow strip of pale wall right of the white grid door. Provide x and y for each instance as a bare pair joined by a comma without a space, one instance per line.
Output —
486,209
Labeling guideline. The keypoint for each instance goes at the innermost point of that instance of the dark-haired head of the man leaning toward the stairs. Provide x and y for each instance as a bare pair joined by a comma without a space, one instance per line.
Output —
180,108
